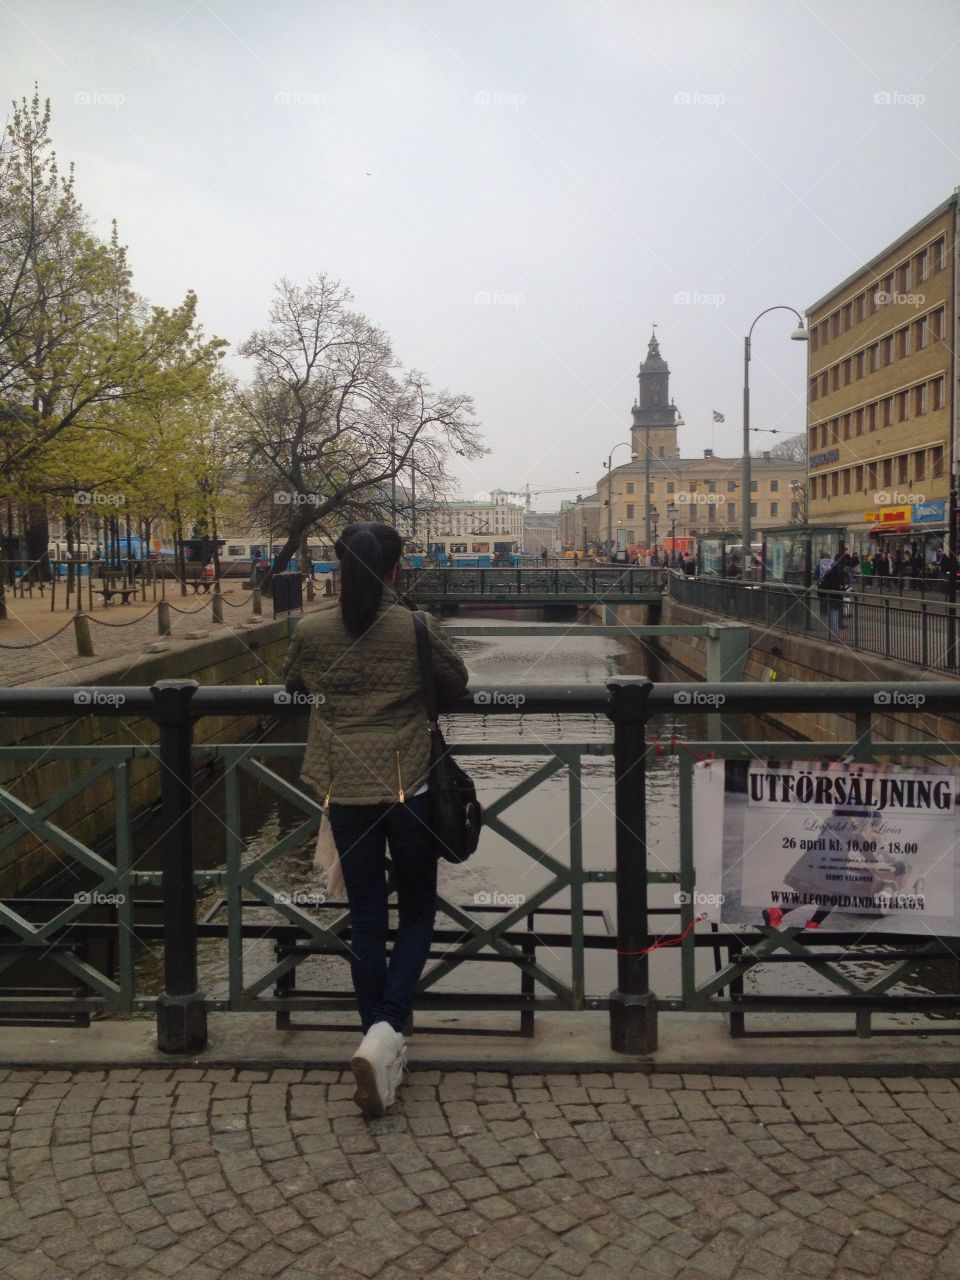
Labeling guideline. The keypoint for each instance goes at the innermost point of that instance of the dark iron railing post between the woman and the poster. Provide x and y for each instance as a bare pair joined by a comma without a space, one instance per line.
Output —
633,1004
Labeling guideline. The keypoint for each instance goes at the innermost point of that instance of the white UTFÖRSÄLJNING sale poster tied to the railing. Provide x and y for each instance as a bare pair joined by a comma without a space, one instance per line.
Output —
839,845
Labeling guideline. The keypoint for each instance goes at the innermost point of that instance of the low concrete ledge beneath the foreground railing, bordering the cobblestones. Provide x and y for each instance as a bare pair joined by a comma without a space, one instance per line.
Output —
564,1043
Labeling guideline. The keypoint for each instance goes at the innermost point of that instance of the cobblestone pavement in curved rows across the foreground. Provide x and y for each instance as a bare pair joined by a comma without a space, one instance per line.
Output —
202,1174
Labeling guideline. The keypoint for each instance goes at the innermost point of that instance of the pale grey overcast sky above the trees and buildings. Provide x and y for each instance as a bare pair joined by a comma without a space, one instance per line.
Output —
514,190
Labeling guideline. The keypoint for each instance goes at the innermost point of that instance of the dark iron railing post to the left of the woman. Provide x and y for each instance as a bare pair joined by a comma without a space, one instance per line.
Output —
181,1009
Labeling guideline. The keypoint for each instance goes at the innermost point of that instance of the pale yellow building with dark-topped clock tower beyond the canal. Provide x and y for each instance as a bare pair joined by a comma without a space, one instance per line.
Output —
688,497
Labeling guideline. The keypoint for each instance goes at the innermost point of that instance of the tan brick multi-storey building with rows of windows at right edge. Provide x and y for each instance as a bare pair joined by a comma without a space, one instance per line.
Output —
883,388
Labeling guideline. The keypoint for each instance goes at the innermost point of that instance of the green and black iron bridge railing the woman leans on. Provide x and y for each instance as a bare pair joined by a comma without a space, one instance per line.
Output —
244,904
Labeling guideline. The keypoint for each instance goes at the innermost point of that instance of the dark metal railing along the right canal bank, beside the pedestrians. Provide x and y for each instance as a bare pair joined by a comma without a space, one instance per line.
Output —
920,633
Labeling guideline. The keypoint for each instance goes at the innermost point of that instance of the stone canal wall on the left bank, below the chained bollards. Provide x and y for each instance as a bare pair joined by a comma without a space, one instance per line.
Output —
237,657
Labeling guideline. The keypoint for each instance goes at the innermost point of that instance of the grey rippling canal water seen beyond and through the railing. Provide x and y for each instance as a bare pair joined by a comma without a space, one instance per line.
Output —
500,876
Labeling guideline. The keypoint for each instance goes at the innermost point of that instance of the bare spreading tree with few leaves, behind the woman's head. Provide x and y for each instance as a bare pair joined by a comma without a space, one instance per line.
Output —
332,422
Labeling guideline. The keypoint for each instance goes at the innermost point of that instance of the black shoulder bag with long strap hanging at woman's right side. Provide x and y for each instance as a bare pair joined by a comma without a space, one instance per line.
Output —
456,816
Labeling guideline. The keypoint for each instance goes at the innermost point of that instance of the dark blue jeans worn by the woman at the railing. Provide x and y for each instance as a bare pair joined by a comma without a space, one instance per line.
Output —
386,991
